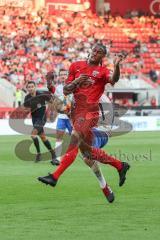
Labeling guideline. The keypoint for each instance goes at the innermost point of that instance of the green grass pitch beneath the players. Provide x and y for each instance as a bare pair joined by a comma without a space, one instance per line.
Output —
76,209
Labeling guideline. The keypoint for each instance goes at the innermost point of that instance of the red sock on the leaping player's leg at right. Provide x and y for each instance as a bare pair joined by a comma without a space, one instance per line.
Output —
101,156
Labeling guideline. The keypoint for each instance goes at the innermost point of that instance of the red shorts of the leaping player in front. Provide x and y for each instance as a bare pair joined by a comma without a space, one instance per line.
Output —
83,121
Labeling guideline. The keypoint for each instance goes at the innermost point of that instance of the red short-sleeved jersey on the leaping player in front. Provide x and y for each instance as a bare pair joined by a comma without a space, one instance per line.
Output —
100,76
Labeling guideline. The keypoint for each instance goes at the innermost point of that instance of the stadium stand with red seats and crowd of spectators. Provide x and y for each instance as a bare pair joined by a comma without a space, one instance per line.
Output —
33,43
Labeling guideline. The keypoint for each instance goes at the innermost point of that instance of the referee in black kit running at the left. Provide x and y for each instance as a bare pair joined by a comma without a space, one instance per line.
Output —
35,102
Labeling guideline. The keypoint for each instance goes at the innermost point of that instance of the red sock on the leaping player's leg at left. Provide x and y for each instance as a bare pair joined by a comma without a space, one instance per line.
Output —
66,161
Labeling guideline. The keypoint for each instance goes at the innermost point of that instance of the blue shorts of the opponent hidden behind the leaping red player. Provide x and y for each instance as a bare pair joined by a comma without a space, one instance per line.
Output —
100,138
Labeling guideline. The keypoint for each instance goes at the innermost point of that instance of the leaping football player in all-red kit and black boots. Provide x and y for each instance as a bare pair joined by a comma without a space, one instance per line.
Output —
87,80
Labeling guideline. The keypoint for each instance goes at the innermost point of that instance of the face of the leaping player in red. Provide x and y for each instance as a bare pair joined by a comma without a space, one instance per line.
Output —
97,54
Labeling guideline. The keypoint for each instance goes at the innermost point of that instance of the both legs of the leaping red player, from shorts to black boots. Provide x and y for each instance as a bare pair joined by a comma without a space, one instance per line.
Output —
80,137
